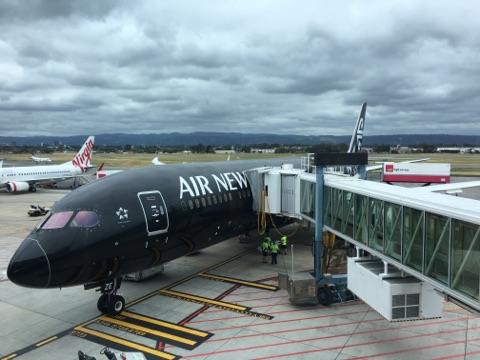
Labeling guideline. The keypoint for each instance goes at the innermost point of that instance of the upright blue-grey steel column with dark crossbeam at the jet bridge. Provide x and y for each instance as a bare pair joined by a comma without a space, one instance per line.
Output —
322,160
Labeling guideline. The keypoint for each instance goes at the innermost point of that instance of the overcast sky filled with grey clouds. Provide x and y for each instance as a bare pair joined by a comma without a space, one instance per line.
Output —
285,67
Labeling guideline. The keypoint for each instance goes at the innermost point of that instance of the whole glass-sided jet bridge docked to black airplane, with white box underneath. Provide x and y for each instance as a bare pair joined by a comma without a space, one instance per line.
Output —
414,248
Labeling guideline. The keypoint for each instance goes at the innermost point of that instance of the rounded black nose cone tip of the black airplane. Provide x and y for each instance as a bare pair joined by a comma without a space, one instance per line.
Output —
29,266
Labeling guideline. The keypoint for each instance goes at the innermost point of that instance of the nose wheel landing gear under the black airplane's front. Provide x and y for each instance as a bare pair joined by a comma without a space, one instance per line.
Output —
109,302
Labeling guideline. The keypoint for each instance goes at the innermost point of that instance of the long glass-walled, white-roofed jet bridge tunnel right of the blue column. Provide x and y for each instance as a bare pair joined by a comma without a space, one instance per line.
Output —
433,237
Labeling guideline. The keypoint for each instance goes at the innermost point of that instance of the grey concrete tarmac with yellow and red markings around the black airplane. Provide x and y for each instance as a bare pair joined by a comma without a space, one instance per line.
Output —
222,302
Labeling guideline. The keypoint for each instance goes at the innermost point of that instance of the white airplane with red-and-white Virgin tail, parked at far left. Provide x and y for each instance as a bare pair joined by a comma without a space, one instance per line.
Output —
25,178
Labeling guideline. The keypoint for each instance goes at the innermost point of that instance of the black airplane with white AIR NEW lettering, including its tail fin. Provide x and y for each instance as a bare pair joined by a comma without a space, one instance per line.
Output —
135,220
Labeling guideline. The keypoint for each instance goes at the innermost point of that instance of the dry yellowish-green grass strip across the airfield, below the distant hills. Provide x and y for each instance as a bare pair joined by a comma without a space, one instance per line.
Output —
462,164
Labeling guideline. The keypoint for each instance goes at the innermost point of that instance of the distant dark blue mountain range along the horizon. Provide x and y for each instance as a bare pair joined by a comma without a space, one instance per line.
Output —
224,138
